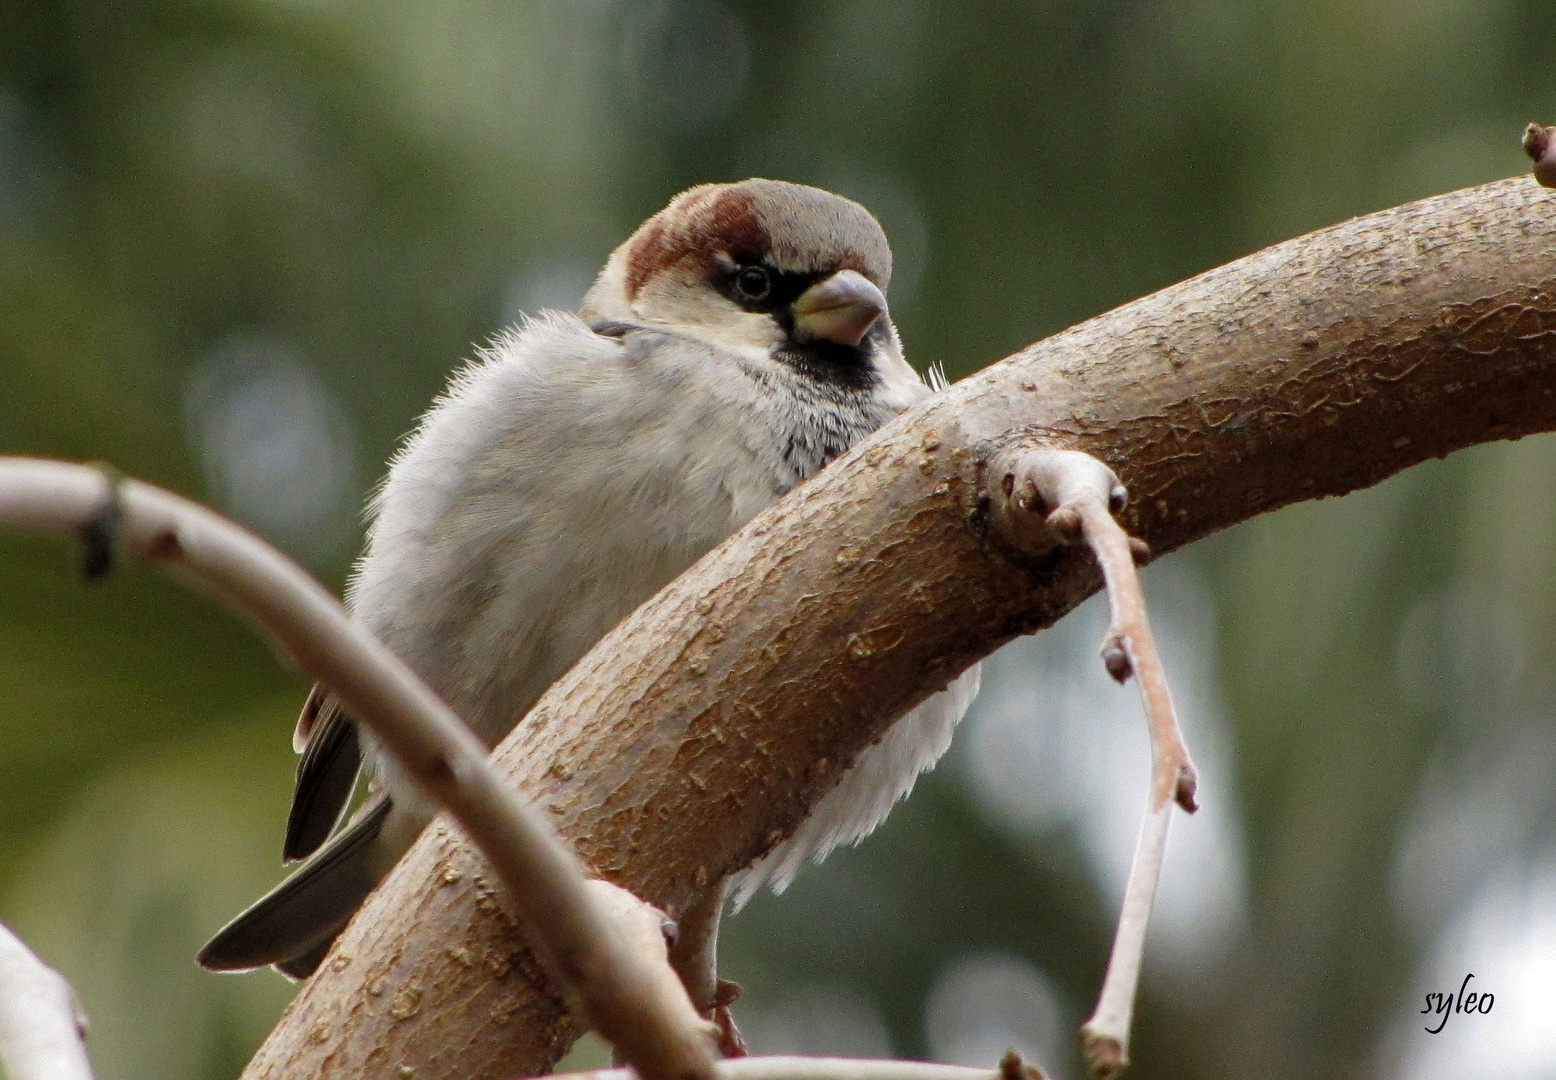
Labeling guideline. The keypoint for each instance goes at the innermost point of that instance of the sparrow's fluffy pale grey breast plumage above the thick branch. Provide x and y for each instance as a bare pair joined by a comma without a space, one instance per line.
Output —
567,477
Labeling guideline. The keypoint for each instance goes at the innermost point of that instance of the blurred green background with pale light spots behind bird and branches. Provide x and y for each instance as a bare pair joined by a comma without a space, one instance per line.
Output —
244,244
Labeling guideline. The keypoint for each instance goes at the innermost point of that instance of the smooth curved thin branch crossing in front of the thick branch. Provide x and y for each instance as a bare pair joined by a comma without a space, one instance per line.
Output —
589,934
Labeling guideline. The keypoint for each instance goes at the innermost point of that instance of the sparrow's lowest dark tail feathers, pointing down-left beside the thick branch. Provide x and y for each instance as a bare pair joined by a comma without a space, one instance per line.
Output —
293,925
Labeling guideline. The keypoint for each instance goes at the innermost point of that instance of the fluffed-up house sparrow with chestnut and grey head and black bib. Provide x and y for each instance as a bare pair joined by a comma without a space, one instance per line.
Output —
731,349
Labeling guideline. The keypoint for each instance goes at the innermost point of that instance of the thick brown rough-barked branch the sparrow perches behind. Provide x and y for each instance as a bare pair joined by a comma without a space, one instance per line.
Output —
698,734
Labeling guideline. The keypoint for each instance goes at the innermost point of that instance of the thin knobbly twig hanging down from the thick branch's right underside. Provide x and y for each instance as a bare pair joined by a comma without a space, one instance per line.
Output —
1043,499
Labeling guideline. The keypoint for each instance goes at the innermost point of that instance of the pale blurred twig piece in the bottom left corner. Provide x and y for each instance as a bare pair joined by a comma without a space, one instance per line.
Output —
41,1025
